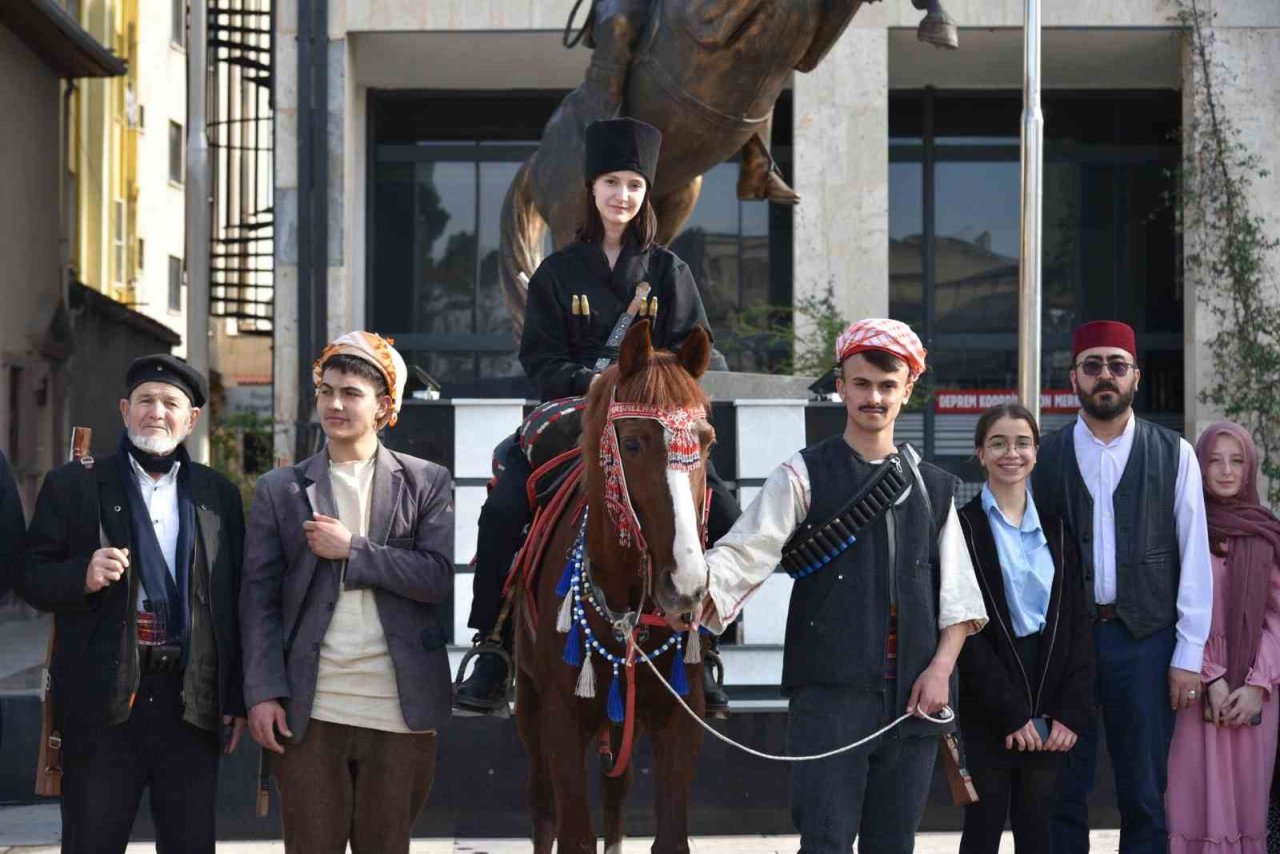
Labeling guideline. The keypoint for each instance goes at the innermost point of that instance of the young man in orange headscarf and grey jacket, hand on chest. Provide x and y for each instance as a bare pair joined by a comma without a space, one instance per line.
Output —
349,563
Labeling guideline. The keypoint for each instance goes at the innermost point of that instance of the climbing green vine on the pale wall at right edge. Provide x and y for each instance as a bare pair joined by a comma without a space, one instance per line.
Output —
1227,253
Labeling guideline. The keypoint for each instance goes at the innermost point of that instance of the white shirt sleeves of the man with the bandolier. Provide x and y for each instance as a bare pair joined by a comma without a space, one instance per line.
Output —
749,552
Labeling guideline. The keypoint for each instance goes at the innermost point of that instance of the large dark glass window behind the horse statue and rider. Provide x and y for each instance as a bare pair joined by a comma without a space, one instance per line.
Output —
441,168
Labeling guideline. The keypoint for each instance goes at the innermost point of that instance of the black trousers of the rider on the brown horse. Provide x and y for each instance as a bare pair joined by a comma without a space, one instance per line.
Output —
506,514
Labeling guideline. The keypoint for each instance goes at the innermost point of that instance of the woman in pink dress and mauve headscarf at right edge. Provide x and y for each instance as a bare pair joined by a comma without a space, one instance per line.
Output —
1224,752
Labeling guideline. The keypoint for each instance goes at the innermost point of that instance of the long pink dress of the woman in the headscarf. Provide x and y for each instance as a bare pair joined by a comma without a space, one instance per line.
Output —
1220,778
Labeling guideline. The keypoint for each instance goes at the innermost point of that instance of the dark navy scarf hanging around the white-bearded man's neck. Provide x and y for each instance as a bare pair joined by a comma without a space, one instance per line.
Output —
167,595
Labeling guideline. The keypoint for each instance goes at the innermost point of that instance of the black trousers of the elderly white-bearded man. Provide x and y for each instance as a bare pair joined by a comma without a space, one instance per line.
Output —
104,775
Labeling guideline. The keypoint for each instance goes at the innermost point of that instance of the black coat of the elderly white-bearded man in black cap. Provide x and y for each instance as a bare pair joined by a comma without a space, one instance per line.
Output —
63,536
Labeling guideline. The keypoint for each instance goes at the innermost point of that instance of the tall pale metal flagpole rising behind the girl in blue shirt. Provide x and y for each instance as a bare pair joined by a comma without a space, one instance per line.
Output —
1034,168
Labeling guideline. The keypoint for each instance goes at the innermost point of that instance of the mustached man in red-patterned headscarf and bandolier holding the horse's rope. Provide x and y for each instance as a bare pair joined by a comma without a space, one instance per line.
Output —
885,596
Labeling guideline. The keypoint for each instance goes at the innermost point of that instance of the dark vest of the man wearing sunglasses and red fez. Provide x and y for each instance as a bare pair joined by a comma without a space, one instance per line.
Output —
1148,554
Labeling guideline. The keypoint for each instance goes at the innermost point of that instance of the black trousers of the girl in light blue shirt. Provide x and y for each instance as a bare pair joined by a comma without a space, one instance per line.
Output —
1022,788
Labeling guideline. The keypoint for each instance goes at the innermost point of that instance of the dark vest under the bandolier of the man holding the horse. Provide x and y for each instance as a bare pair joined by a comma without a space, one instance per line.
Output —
838,623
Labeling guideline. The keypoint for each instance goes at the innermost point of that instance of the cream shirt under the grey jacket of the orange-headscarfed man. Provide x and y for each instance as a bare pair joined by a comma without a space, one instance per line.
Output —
356,681
